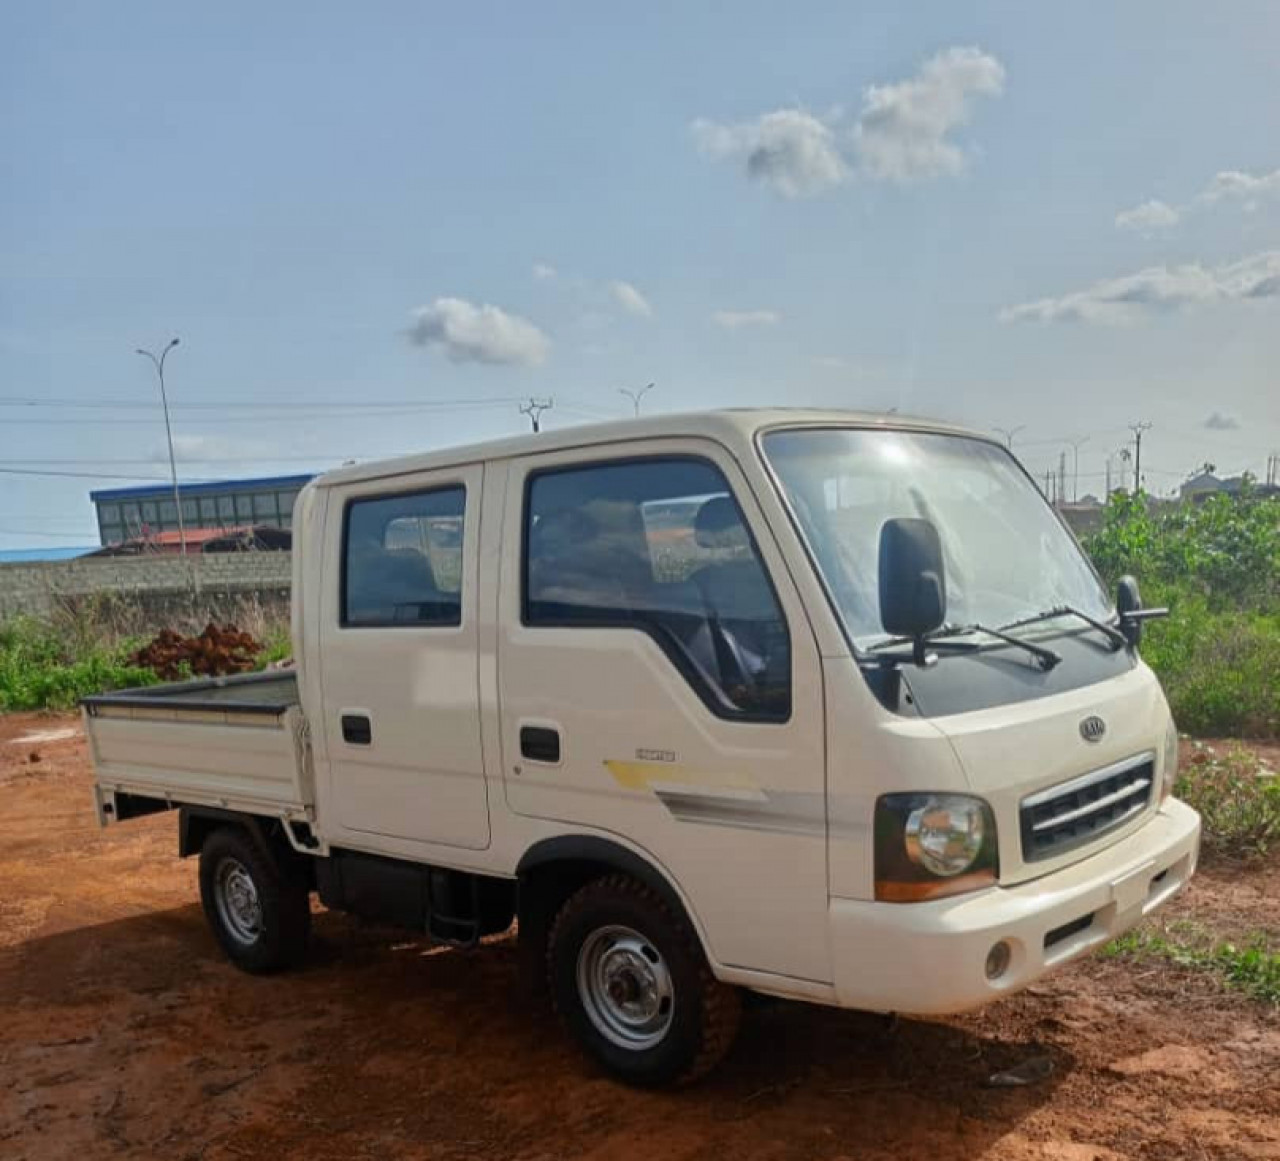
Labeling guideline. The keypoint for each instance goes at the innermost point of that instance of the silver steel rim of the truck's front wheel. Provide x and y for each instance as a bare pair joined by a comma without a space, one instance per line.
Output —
625,988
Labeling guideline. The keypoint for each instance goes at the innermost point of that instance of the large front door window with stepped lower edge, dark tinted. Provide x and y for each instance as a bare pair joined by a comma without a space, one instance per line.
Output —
661,546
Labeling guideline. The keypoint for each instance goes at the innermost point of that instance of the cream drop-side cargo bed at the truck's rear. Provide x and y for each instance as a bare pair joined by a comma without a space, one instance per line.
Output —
234,743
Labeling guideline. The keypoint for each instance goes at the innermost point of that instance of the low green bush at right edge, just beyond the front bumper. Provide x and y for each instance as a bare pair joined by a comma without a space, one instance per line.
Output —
1237,797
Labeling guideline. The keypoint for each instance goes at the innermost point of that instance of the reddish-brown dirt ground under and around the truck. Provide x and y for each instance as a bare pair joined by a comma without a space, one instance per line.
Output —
126,1035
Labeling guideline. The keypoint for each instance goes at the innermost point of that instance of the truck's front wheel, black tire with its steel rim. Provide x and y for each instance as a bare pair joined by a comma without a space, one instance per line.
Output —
688,1034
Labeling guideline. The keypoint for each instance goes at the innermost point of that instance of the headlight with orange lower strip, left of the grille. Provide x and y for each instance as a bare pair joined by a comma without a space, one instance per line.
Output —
931,845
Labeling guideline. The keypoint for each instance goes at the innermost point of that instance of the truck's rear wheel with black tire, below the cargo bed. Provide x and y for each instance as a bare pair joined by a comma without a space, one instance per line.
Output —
232,865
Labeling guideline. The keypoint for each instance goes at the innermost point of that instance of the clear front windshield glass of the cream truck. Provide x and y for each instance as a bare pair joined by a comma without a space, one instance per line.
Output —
1007,554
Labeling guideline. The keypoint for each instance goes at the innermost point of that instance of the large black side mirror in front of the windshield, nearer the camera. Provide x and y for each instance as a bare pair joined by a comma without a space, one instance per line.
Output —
912,580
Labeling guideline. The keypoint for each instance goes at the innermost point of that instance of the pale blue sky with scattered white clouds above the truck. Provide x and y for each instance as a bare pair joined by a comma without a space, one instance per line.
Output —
377,228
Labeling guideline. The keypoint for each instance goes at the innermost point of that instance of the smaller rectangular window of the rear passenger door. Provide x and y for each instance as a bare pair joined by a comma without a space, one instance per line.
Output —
403,560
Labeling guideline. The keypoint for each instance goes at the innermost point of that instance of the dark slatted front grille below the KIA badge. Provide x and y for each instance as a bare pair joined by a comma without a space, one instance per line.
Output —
1075,813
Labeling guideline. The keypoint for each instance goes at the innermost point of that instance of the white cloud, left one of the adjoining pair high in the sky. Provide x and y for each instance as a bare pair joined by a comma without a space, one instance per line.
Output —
790,150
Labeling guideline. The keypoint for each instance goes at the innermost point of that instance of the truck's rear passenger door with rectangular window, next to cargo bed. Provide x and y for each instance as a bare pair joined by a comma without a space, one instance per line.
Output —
399,666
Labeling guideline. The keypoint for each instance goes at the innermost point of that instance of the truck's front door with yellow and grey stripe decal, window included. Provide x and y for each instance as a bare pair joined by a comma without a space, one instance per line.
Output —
660,682
